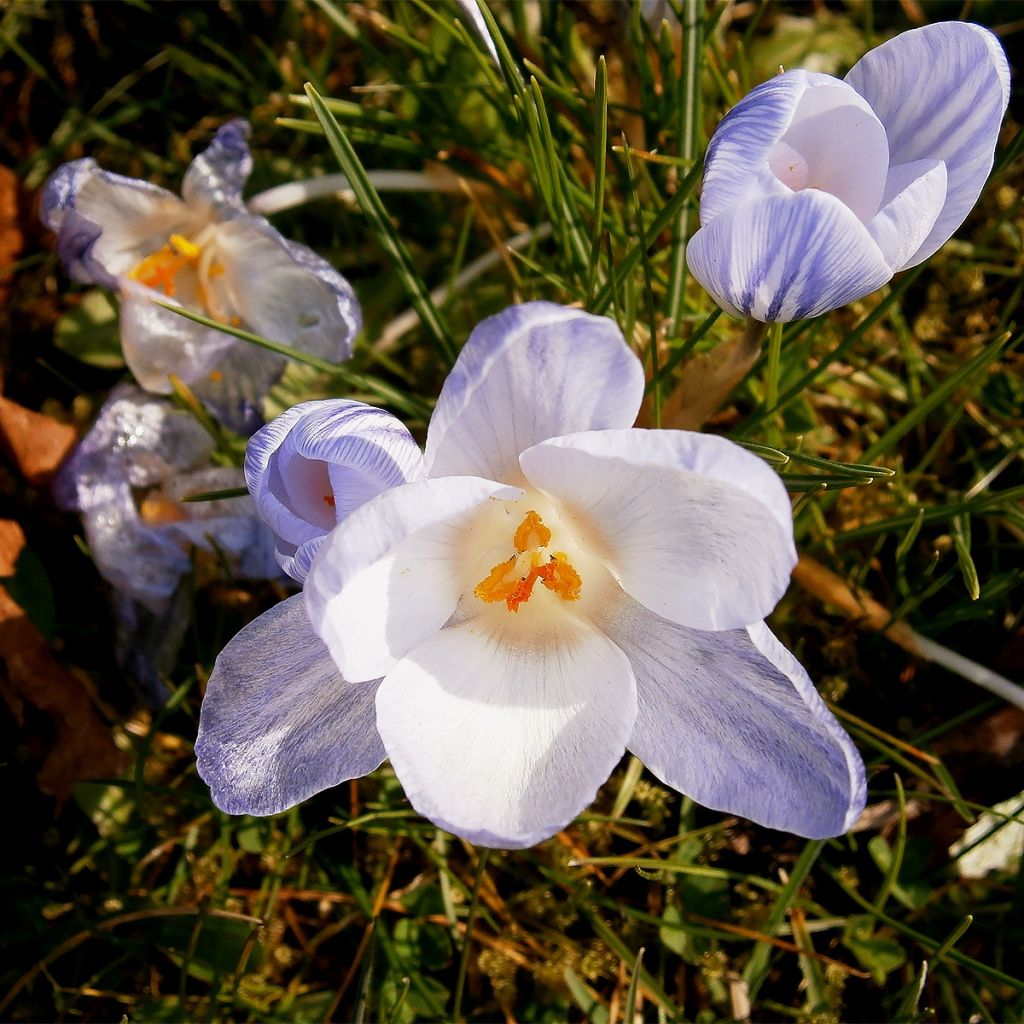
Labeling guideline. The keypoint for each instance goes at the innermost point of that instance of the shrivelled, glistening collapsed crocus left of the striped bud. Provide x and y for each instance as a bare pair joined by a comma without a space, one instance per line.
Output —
129,478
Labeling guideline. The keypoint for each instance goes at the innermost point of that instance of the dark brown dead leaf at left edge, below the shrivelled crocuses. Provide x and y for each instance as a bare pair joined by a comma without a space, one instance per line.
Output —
82,746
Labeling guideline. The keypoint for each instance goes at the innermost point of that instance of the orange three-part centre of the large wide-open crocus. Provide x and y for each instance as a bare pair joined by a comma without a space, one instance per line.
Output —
514,580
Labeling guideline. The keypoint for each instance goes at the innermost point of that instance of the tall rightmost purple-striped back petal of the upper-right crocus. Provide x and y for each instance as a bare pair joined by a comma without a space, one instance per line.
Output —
941,92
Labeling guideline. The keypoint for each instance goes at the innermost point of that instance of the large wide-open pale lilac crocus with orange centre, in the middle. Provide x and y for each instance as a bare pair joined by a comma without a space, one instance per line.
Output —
554,590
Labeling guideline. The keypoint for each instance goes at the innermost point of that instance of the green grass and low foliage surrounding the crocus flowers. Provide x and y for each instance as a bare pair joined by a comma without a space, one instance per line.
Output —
897,421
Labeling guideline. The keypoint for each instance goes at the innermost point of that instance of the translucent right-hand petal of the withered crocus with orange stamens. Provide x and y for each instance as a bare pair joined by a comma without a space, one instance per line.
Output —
284,291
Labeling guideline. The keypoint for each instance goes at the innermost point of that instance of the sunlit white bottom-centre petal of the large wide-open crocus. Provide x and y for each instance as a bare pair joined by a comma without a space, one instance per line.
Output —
502,742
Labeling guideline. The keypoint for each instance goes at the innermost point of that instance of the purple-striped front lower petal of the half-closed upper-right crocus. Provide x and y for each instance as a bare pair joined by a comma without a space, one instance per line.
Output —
787,258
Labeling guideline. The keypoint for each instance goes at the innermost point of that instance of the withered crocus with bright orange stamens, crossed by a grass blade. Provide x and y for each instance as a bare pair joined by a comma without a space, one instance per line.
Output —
205,253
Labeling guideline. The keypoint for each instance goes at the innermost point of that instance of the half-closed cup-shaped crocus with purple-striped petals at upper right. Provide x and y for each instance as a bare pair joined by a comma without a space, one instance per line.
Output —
818,191
